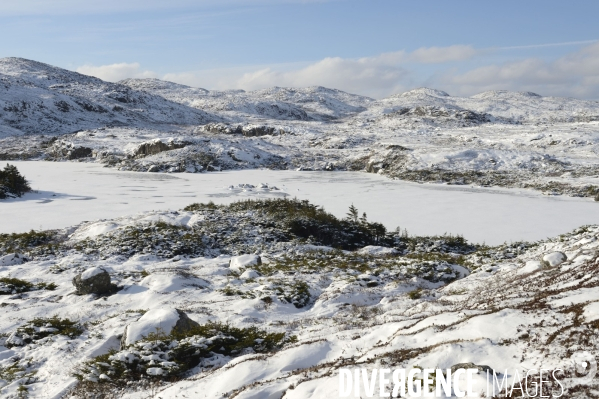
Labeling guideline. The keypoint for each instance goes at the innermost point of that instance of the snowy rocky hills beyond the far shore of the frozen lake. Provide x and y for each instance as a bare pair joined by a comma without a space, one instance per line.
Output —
498,138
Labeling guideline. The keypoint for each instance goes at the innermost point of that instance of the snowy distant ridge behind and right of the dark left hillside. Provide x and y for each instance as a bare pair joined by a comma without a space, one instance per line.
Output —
312,103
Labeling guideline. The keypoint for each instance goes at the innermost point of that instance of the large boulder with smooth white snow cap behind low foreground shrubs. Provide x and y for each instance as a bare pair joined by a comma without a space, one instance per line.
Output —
162,321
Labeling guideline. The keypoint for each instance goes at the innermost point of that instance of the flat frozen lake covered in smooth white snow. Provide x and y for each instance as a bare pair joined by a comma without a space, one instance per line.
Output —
69,193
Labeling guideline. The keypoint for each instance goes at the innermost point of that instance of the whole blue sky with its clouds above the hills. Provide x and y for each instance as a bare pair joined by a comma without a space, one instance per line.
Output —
374,47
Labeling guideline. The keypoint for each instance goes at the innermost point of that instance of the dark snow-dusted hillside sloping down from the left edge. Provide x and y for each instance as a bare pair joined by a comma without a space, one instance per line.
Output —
39,98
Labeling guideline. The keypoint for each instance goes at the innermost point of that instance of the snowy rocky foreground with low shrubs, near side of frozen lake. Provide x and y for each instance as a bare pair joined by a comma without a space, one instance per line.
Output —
273,297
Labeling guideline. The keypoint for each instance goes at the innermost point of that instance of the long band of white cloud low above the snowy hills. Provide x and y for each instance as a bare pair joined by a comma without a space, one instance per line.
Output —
575,74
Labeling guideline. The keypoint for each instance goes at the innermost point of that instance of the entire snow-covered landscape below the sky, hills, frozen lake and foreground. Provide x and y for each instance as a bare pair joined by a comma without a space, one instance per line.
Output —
496,167
